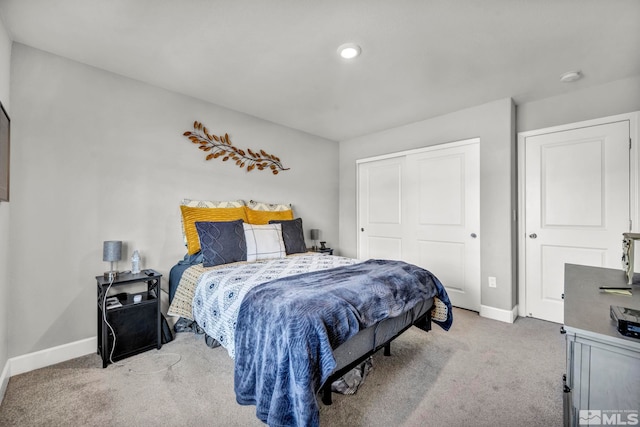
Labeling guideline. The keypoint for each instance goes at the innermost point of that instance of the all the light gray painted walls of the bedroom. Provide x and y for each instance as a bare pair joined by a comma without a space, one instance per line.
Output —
96,156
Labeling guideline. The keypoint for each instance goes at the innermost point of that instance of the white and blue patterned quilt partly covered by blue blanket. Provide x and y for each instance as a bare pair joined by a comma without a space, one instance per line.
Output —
220,292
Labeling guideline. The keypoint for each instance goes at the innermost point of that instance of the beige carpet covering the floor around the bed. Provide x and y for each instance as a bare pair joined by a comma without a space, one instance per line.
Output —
481,373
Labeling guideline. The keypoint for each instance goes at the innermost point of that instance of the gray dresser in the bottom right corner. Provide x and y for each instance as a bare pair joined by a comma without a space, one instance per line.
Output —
603,366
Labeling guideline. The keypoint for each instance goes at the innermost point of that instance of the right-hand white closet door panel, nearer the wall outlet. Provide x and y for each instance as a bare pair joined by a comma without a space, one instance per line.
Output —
444,217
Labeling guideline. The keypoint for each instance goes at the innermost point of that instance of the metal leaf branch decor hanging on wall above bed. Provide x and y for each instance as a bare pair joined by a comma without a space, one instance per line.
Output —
220,146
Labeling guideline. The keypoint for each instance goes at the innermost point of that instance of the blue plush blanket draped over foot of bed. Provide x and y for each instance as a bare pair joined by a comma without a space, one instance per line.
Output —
288,327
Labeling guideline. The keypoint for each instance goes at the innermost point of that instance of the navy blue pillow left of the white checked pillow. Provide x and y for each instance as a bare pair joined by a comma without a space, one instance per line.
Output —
222,242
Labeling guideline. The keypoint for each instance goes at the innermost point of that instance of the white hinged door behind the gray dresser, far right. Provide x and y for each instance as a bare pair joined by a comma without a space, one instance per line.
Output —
577,207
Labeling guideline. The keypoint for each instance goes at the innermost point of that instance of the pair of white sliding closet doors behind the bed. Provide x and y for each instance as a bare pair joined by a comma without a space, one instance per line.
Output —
423,207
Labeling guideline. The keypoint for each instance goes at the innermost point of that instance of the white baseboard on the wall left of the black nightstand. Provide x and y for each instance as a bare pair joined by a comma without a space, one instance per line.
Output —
51,356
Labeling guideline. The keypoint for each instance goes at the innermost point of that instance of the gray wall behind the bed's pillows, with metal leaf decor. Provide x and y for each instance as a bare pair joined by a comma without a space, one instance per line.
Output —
96,157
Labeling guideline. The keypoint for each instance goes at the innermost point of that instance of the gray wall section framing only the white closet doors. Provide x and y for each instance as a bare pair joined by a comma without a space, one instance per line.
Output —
493,123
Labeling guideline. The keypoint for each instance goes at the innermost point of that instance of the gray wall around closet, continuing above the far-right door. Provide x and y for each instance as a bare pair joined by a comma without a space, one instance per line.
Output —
496,124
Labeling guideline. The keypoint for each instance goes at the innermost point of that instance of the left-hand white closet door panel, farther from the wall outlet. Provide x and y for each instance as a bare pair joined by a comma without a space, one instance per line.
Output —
380,209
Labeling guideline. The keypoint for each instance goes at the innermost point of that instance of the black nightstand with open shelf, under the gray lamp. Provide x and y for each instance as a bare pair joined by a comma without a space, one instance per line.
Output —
137,326
